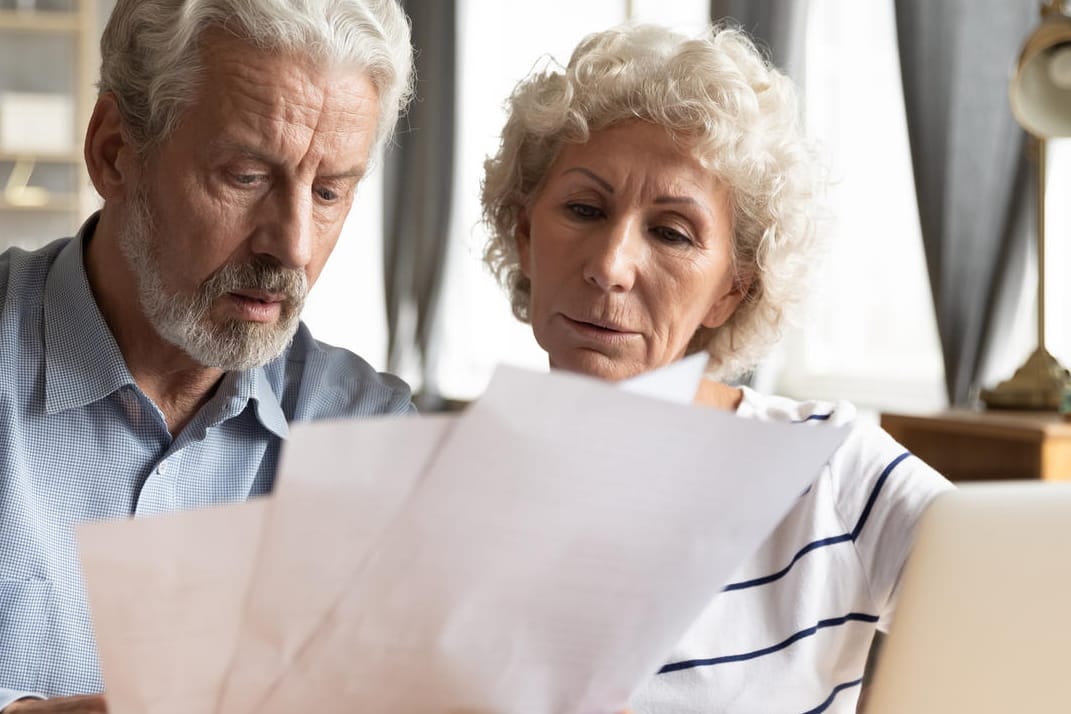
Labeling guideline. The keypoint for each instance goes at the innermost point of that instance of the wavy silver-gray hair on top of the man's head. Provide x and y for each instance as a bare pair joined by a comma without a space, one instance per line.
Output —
152,58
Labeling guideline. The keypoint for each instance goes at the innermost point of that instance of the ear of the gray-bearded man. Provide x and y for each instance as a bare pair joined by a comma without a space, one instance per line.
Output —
110,158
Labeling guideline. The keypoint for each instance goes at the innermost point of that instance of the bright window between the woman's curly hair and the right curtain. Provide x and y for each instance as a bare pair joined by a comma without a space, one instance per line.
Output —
870,335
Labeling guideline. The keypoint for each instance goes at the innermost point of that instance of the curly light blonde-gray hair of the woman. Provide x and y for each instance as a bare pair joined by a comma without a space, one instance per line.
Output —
717,96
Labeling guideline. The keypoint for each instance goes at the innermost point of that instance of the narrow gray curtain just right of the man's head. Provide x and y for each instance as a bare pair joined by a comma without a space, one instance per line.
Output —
418,177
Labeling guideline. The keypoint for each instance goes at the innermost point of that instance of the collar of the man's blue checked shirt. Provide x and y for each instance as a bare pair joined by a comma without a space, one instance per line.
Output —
84,363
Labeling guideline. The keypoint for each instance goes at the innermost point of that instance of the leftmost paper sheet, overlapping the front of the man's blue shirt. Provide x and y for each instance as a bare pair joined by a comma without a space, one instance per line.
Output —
168,596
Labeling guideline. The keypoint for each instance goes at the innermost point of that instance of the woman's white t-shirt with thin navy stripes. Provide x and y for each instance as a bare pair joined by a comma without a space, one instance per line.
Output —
792,630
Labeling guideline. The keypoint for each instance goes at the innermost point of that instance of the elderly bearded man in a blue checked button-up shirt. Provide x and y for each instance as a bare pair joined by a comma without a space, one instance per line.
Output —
154,361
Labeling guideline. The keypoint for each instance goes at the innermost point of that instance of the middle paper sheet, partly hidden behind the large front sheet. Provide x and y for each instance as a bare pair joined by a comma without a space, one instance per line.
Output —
322,527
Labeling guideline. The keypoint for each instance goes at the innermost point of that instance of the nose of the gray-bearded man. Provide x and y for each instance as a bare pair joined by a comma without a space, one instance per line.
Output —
285,230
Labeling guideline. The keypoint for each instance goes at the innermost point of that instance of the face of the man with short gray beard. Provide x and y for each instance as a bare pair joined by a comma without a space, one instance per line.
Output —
237,212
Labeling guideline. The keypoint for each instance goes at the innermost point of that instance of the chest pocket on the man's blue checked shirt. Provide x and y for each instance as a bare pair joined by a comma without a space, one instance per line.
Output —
25,619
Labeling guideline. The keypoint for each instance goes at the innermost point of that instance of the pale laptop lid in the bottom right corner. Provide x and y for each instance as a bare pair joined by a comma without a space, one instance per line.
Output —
984,622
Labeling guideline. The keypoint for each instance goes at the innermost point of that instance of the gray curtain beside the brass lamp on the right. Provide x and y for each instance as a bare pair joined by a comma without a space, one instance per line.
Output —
972,175
